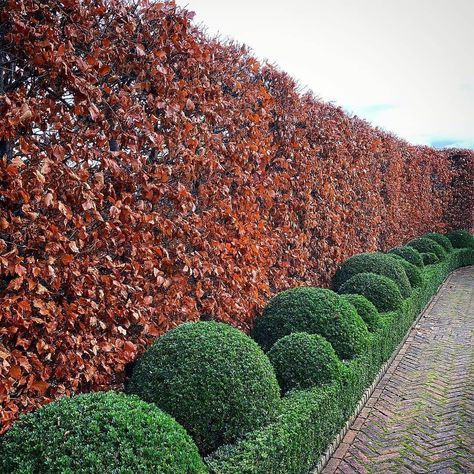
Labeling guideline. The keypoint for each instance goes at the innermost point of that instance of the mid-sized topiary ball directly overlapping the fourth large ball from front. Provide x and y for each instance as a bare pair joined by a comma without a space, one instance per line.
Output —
378,289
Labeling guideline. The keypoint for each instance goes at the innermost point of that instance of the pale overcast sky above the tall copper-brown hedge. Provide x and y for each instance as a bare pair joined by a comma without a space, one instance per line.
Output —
404,65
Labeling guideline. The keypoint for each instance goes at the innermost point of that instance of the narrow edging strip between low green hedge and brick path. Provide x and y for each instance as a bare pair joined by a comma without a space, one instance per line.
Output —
323,460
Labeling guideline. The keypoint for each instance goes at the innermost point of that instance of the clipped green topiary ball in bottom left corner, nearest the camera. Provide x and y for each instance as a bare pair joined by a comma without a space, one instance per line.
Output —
100,432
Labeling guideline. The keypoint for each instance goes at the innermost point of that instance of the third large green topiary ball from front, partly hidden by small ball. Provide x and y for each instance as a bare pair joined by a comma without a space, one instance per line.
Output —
315,311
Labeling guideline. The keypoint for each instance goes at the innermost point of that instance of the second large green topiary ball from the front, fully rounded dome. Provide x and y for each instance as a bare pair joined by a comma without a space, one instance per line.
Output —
212,378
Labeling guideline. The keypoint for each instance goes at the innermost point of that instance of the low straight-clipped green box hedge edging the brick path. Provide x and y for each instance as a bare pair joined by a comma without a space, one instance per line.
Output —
309,419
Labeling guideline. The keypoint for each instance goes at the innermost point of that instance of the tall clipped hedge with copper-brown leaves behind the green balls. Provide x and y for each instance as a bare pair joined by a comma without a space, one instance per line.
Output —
150,175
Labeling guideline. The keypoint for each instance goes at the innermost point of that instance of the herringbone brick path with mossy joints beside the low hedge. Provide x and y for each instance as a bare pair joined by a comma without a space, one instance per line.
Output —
420,418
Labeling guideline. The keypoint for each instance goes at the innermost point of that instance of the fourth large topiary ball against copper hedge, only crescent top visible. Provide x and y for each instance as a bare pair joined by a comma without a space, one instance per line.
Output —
378,263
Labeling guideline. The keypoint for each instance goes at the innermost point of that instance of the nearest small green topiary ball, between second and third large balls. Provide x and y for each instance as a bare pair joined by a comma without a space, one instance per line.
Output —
303,360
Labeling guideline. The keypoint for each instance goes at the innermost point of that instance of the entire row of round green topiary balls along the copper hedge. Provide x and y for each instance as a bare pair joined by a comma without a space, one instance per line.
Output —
215,381
